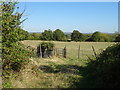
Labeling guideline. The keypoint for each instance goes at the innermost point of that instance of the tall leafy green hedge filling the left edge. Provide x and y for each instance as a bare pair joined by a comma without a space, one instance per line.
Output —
14,54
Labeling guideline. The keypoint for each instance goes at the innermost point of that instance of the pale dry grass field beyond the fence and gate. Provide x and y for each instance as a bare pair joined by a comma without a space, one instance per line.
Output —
72,47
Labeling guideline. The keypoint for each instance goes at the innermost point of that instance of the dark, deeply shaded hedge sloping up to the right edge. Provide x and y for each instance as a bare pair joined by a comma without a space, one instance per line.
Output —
103,71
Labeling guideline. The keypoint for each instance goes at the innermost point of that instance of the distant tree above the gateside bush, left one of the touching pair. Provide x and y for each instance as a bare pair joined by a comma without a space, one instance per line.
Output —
47,35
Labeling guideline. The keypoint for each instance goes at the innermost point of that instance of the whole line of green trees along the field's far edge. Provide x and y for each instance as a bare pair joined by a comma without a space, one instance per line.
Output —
59,35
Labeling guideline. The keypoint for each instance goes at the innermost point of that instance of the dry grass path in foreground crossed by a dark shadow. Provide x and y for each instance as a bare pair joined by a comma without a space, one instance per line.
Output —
48,73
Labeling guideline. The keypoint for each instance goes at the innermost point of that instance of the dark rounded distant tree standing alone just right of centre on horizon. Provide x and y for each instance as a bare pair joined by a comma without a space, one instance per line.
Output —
77,36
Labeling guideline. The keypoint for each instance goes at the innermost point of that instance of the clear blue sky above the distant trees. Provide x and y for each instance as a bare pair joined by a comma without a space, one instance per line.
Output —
87,17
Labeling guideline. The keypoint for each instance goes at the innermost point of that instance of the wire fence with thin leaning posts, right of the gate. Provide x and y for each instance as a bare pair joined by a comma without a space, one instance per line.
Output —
81,53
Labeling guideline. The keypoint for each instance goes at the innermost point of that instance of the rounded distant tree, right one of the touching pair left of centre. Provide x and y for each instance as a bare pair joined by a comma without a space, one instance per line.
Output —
58,35
